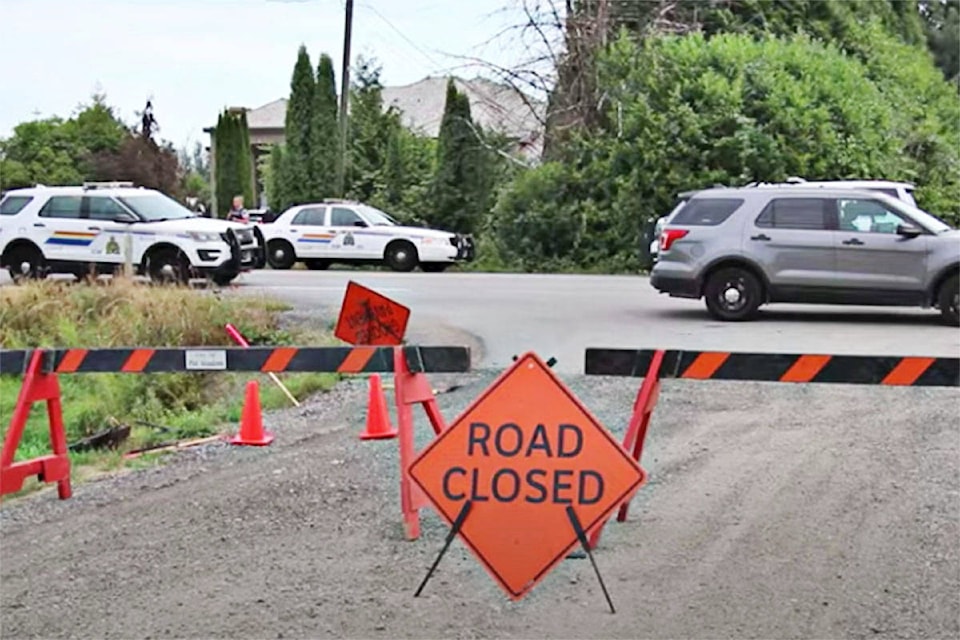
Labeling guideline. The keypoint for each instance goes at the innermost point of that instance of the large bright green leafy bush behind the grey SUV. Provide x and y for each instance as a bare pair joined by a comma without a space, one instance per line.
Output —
686,112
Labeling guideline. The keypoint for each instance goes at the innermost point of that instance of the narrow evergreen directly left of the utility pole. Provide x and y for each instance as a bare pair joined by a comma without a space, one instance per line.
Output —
325,141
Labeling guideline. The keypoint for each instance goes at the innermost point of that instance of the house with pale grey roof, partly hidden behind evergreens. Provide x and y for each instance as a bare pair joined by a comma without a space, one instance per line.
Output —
494,106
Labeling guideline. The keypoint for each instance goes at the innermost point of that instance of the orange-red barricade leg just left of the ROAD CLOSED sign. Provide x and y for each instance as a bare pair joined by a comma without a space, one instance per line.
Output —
410,389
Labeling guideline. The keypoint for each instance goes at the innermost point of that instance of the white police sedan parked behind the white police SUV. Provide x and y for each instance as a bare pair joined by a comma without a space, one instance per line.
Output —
348,232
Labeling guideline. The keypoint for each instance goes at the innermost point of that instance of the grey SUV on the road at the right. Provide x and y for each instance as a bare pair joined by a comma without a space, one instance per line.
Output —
740,248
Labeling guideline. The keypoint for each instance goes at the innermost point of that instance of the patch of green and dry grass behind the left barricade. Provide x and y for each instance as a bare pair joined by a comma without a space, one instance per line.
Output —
157,407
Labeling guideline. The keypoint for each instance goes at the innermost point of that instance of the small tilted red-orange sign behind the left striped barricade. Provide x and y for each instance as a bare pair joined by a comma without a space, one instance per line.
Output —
368,318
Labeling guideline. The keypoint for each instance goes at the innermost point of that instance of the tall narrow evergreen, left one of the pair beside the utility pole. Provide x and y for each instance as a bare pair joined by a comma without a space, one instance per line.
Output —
296,178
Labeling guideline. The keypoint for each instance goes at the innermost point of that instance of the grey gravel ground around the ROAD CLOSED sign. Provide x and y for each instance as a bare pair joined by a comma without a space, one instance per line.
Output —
772,511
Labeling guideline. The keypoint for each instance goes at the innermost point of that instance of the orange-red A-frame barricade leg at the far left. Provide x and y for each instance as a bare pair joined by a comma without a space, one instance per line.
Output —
37,385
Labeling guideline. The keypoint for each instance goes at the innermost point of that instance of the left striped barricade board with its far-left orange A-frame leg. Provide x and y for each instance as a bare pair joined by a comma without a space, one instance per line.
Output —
40,369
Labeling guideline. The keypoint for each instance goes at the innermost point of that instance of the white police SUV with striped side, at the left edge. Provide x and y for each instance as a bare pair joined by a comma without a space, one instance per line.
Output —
79,229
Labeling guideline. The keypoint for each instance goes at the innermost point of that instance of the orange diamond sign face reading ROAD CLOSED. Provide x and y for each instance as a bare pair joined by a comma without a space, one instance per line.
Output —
524,451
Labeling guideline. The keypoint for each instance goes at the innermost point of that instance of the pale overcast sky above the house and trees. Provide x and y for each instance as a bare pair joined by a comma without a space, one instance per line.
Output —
192,58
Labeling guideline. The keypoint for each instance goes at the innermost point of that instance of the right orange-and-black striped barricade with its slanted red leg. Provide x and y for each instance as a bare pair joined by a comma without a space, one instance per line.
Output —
655,364
